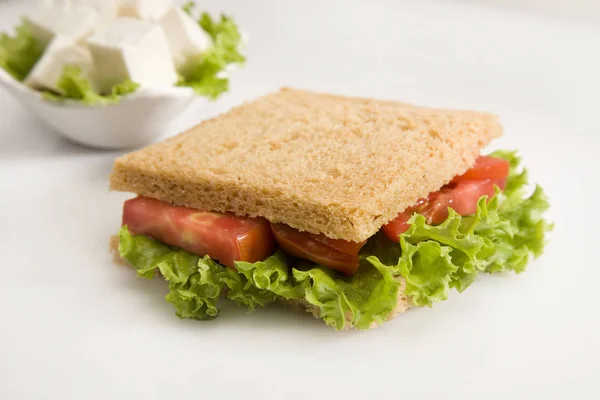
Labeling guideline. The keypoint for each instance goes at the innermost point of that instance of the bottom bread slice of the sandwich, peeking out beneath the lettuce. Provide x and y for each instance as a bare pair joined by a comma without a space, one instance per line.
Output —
403,303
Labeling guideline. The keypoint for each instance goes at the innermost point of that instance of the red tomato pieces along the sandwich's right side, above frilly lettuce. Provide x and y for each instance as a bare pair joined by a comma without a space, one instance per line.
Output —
462,197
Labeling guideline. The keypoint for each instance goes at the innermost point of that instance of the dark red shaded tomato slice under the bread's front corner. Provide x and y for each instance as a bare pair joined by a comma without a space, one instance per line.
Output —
304,245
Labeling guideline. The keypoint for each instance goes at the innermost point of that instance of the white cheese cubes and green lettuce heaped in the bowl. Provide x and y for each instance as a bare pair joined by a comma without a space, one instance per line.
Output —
97,51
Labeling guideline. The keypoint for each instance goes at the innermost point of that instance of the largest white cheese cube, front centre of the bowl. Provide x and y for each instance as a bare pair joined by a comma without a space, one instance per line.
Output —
132,49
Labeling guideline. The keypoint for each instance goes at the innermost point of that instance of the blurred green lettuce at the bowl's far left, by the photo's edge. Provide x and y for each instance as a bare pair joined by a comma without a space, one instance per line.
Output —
19,53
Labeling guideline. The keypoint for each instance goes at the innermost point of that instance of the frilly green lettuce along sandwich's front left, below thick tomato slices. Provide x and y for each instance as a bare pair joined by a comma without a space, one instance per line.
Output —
195,284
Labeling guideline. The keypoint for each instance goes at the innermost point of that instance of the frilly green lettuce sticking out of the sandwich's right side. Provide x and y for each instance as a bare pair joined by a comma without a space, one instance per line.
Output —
501,236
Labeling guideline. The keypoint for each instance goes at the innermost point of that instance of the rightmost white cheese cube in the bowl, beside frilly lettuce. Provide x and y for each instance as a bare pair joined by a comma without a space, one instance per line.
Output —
186,38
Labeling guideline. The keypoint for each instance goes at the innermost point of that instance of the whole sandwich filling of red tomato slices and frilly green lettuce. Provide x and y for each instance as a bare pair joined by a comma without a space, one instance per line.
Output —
482,221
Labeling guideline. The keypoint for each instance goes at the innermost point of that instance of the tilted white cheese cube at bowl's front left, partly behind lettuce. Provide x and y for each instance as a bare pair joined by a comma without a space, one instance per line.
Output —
61,51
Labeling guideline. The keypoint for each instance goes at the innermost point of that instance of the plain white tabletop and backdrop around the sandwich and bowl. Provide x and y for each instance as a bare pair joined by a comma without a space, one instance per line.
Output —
74,326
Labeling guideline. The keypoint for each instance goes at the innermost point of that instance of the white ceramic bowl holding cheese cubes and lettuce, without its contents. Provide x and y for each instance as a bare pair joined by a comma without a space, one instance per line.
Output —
136,120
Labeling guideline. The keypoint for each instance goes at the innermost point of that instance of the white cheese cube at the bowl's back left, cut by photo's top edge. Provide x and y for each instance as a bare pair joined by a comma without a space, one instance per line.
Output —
75,21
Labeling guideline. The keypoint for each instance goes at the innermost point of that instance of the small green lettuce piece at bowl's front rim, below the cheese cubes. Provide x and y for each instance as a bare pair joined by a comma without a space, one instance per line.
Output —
73,85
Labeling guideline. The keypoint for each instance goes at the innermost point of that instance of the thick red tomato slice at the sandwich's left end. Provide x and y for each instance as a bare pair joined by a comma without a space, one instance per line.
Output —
224,237
